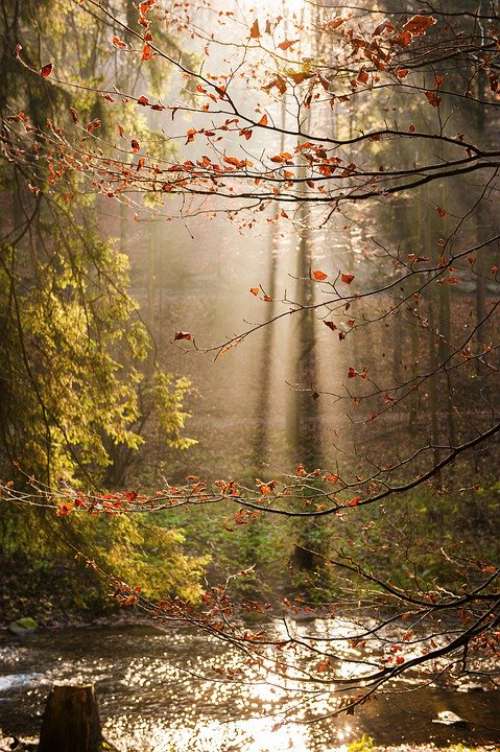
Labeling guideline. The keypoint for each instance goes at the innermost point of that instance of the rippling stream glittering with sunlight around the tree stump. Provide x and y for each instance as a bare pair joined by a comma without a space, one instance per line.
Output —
150,700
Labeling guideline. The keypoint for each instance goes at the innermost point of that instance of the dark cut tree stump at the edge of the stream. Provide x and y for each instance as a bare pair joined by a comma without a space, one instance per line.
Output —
71,720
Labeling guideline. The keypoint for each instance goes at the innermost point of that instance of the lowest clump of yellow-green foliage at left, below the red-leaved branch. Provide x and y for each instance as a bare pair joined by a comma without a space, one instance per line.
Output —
132,549
